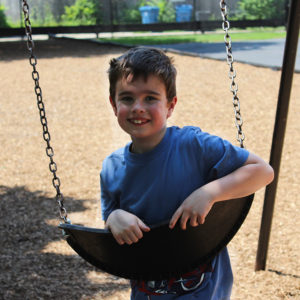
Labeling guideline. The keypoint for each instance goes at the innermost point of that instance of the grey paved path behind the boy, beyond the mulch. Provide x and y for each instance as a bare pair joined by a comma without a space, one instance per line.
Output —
266,53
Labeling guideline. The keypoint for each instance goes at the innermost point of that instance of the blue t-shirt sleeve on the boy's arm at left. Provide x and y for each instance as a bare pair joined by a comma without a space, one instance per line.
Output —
108,199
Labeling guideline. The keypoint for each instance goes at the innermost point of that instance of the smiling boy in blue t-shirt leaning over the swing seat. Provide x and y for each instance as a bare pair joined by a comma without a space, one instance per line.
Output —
173,173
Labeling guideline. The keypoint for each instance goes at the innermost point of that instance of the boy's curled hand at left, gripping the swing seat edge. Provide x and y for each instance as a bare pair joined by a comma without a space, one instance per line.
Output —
126,227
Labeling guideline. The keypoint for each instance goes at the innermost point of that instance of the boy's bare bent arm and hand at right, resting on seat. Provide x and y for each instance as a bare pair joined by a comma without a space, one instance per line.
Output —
252,176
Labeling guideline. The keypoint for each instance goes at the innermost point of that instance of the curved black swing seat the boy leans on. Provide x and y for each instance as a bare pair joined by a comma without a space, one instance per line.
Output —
162,253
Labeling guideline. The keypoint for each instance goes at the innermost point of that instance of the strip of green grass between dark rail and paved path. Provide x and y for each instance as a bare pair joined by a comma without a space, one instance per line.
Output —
155,39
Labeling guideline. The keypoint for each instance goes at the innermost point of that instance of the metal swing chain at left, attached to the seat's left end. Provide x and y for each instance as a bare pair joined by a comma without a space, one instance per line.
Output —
42,112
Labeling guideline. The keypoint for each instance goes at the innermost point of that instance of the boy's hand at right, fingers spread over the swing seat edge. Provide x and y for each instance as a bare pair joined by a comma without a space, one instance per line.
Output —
194,208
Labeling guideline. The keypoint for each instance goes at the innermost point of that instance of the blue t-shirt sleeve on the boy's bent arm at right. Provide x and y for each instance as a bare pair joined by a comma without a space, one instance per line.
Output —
220,156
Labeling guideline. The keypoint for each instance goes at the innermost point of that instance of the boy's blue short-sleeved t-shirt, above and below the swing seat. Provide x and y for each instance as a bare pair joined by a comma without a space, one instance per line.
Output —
152,186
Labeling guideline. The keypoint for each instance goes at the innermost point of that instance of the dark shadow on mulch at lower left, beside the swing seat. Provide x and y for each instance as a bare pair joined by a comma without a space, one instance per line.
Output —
28,273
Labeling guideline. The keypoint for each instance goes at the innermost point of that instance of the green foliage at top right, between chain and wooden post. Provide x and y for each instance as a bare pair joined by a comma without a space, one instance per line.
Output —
261,9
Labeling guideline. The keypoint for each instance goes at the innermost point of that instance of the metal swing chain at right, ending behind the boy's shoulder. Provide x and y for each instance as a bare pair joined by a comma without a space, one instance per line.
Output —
232,74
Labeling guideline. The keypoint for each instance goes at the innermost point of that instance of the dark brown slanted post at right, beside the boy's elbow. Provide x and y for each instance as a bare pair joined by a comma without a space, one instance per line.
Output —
279,130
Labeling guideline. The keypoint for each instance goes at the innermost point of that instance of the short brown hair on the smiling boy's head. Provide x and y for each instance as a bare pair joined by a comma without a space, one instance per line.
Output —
143,61
